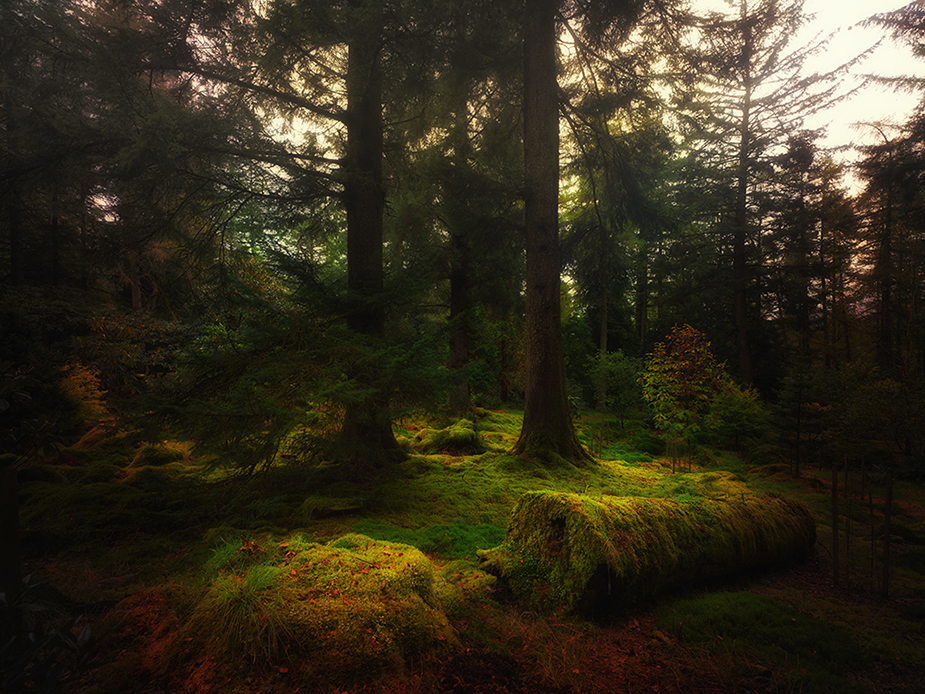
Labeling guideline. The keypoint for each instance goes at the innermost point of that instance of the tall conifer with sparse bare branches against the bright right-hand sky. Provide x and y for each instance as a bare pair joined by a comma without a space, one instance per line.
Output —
757,96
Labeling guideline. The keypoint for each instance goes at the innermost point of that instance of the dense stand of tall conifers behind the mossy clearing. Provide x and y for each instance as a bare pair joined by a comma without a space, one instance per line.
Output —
466,203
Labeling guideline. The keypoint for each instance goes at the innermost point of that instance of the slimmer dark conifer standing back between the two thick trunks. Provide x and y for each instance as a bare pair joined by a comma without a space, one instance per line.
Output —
456,176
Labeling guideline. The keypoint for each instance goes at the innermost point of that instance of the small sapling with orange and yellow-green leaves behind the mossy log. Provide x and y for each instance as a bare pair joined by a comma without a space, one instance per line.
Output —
679,383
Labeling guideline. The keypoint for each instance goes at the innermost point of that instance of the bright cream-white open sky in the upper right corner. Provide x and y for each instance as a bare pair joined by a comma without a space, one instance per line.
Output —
890,59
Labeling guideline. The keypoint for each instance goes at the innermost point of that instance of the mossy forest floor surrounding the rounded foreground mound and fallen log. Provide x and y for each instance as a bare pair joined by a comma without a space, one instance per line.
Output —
126,544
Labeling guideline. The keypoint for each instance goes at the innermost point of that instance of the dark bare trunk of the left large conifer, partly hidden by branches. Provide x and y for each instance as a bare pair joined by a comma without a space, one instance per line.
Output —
366,435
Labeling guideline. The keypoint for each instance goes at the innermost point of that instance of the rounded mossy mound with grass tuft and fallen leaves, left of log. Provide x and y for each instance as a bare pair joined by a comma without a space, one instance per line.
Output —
334,612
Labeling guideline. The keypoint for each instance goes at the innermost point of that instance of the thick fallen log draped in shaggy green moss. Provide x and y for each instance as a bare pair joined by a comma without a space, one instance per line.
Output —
568,552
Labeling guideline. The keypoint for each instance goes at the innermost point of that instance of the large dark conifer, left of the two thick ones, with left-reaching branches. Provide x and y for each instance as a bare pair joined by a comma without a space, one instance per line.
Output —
324,70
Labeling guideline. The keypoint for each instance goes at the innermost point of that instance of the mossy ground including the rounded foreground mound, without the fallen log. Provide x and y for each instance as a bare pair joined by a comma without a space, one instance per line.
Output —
305,579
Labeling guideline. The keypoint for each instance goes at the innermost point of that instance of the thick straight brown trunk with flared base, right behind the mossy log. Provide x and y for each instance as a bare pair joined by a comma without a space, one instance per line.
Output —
547,429
